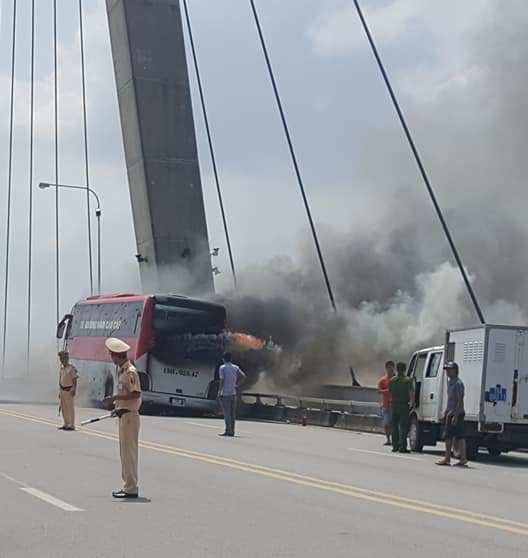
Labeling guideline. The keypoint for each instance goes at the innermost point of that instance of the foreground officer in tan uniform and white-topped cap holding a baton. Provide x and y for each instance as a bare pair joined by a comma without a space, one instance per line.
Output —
127,402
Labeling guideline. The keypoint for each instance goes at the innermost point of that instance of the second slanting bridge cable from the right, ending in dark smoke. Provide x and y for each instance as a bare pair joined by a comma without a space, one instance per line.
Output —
293,156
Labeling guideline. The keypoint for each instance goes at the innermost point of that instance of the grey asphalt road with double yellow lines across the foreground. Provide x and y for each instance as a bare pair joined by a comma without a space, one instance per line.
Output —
276,490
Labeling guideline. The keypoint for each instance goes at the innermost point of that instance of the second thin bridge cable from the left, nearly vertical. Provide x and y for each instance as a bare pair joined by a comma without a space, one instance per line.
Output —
30,217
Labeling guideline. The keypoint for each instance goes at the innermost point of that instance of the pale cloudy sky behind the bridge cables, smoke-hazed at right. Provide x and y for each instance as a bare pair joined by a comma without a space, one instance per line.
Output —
456,66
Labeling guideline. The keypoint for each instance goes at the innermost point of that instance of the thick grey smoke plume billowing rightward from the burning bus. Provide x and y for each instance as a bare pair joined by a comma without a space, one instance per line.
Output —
396,284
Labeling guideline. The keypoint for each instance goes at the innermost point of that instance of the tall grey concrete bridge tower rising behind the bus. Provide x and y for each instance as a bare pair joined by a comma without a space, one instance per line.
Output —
160,145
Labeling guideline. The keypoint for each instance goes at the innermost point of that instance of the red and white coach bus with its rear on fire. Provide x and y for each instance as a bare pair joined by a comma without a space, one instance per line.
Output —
176,345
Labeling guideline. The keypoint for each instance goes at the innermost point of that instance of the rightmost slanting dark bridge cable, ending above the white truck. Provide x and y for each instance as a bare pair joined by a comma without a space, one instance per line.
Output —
418,159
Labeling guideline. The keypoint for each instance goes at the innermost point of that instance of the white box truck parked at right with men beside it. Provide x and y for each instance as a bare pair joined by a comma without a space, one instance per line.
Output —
493,364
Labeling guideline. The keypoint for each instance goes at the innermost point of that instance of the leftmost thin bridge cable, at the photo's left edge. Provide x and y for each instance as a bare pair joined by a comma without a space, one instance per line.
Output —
9,188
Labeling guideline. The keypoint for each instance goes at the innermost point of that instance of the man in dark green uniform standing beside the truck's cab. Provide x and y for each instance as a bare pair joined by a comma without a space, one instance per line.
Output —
400,389
